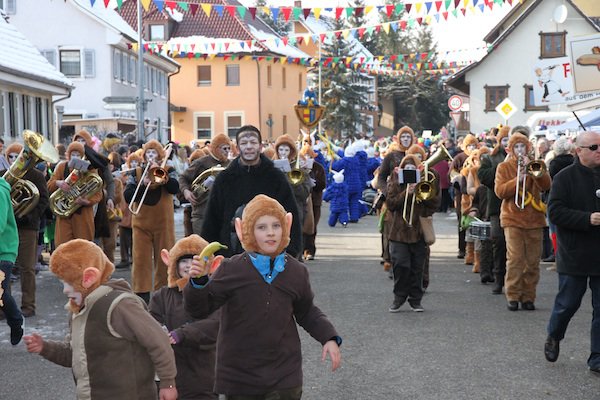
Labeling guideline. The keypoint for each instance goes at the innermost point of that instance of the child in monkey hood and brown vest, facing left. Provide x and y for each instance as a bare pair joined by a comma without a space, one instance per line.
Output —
115,346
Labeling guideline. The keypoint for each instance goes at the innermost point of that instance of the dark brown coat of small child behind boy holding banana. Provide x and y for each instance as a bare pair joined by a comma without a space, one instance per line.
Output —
195,350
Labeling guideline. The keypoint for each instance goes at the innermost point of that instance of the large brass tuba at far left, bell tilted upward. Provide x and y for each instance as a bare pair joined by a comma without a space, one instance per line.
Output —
24,195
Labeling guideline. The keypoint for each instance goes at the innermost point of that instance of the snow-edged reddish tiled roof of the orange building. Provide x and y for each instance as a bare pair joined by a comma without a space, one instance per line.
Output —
200,28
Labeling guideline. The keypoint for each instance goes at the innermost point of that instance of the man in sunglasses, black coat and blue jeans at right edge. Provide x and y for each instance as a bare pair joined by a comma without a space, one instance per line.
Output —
574,207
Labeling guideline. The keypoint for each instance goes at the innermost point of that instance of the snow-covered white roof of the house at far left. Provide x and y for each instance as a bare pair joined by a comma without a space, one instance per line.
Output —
20,57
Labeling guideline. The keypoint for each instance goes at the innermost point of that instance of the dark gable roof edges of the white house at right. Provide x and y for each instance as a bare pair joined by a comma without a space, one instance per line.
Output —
458,80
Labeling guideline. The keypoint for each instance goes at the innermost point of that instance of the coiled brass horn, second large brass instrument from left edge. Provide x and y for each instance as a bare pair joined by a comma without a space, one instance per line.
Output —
83,184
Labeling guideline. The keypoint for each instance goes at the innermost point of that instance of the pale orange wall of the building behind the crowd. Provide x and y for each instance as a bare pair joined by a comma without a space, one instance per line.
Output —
255,99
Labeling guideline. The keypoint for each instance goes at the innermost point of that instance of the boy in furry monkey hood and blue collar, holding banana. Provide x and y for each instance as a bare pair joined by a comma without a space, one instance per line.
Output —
263,292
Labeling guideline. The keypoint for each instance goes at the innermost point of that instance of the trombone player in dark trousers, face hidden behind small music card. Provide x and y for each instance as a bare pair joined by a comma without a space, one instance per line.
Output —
407,244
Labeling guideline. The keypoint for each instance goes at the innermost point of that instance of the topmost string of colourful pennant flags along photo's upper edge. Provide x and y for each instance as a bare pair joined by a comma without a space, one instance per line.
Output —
437,8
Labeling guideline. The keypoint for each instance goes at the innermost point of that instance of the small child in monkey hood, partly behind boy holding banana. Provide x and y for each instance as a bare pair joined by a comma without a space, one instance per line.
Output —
194,341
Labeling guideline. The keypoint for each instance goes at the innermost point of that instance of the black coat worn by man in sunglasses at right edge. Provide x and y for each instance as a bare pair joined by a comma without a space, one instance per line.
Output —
572,200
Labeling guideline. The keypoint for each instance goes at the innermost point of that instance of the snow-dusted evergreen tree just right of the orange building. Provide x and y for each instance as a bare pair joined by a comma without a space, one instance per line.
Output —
344,95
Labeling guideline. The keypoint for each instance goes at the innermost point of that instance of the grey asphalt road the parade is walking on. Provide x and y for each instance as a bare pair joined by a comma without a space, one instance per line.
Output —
466,345
